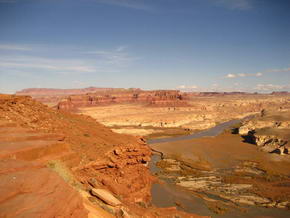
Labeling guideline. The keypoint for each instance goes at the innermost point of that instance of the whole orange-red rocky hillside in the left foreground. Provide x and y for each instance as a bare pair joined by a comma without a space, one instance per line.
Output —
51,160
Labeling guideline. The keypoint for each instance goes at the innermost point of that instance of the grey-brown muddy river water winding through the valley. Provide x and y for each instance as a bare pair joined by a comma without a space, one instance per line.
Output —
168,194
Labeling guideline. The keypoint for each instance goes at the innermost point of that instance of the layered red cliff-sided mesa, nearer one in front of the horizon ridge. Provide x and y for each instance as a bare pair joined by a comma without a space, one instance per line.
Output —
163,98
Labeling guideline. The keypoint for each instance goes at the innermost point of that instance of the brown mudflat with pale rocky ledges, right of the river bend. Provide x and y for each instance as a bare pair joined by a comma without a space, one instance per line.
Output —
234,170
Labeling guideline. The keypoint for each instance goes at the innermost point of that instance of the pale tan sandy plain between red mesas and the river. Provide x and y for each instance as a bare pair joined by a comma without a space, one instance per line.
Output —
201,112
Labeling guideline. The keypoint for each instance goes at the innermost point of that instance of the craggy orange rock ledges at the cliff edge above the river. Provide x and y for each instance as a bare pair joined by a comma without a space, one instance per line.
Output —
121,173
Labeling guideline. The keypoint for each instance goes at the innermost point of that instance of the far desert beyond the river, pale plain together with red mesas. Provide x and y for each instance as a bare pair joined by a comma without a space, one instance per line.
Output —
158,113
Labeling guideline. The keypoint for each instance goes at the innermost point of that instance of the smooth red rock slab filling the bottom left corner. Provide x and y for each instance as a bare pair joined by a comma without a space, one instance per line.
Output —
30,190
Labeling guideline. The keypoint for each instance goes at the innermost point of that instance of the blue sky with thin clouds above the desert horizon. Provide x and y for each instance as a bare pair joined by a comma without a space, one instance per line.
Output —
191,45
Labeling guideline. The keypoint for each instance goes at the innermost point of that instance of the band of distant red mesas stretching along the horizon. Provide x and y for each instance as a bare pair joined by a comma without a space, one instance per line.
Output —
70,99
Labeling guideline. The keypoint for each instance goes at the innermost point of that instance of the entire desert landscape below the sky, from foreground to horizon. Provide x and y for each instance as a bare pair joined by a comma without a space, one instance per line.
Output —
101,150
